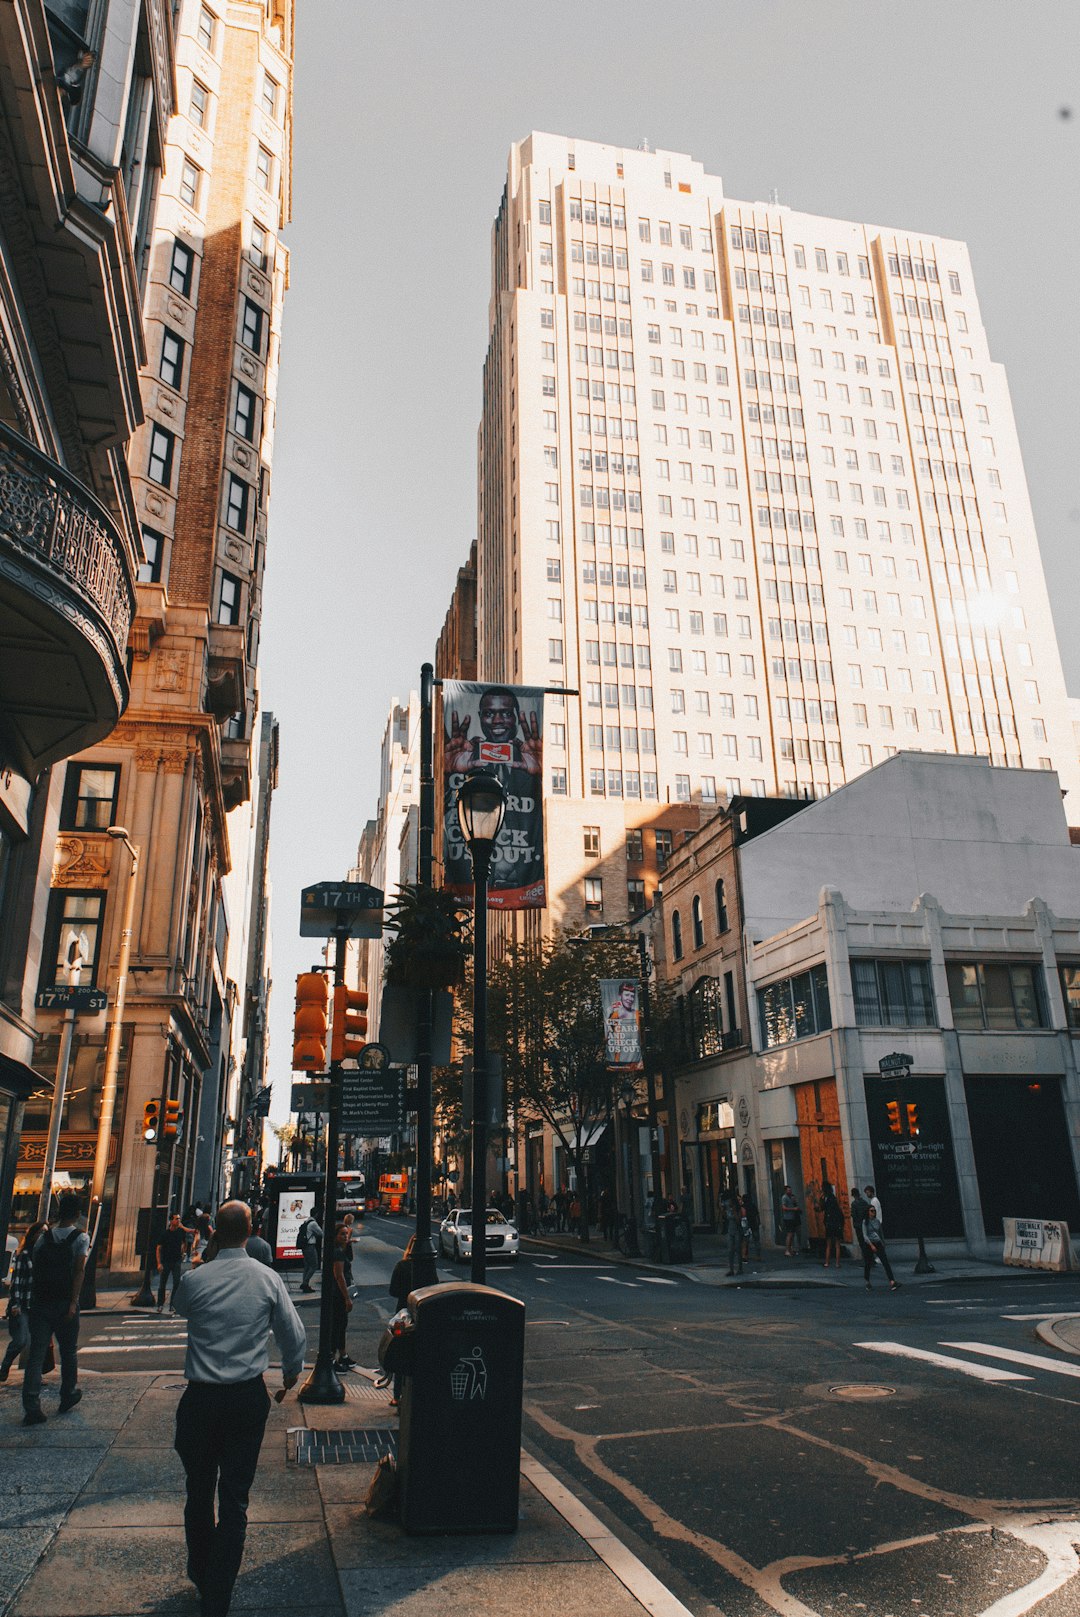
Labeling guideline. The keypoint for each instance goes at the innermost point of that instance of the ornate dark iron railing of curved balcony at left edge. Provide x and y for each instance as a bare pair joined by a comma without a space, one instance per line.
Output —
53,518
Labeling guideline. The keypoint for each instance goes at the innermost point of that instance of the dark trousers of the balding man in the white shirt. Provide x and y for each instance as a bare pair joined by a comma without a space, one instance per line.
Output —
219,1437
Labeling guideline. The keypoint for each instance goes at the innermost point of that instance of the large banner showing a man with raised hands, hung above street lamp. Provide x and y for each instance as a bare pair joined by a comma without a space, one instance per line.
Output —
497,728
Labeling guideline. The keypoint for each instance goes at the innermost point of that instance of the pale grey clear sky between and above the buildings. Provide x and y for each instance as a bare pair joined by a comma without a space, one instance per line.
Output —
935,117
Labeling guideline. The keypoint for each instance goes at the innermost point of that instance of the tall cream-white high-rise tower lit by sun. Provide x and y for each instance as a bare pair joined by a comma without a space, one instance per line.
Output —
751,484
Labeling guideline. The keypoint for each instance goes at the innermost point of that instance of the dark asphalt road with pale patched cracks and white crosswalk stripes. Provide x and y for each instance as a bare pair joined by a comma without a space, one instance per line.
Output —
790,1450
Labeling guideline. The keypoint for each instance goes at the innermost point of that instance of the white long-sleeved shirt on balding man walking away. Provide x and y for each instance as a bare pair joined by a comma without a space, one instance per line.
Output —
232,1306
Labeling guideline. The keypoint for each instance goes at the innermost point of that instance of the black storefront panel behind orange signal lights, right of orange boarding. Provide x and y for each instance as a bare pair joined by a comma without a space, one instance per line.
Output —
914,1168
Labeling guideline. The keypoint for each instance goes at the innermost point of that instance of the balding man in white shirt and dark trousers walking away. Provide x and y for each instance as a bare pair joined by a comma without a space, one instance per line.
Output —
232,1306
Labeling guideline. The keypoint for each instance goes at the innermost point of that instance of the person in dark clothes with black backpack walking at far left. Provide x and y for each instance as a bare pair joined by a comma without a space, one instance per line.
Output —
57,1267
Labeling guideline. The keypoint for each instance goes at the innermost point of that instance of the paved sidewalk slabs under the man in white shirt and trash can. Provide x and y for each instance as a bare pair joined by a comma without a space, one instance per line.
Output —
91,1524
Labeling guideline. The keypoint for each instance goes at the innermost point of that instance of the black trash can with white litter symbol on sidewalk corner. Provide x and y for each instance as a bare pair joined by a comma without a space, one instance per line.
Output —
460,1440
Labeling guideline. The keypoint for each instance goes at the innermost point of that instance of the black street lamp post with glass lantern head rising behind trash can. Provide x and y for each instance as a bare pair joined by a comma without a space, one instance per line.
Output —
481,809
